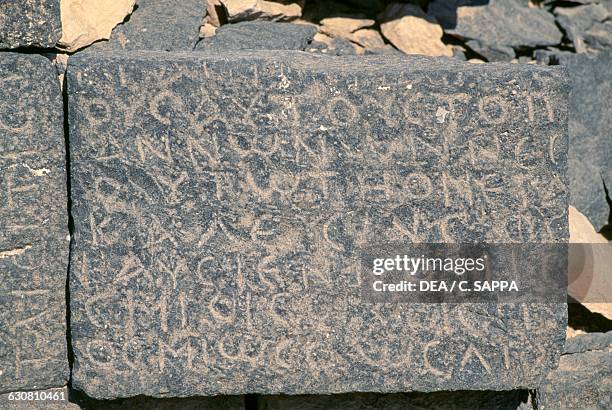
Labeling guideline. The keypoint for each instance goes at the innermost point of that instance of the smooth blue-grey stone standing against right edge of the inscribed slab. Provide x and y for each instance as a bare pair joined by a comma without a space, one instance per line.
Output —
590,151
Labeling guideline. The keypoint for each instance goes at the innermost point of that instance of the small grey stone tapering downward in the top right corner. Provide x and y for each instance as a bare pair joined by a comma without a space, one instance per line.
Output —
575,21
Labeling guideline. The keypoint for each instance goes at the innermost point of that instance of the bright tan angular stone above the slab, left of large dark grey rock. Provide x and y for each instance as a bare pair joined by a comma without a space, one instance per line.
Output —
413,32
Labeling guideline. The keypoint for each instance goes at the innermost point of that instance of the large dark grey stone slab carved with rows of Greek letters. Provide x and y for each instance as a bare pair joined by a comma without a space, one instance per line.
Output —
221,202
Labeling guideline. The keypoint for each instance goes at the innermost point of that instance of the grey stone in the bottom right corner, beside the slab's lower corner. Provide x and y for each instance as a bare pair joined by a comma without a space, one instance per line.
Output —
583,379
